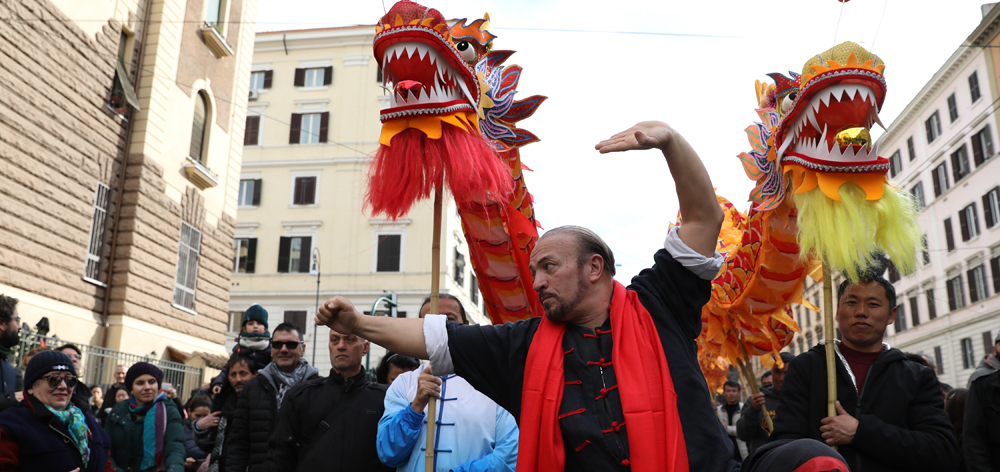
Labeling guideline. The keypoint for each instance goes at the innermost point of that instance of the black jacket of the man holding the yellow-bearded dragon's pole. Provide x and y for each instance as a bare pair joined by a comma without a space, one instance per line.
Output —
902,425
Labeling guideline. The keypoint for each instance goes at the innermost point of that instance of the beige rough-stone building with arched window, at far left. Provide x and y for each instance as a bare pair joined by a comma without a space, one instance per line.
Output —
121,126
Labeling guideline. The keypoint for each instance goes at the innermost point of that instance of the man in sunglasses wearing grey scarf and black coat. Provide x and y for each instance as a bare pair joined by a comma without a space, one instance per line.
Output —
258,403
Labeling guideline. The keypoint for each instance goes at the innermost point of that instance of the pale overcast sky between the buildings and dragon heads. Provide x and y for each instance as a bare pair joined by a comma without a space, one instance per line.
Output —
607,65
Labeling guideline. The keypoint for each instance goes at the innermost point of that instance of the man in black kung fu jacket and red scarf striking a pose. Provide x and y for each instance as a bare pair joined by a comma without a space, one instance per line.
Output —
609,378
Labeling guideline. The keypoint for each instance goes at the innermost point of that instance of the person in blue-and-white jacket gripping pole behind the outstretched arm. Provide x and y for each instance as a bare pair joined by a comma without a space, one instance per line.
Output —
472,432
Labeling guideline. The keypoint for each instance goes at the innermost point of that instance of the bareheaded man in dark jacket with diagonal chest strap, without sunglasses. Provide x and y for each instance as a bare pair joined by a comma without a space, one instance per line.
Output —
331,423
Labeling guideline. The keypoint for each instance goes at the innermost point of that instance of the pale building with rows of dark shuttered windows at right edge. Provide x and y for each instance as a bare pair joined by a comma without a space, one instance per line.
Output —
942,149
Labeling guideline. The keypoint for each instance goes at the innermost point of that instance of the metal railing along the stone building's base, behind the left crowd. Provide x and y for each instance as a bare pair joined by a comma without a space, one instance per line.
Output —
98,364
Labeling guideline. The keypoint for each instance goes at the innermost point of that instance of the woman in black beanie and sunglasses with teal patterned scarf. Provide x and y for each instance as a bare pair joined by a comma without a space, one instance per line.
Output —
47,430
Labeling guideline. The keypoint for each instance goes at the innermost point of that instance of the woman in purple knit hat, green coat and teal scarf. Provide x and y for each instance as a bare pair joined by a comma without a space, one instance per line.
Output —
146,431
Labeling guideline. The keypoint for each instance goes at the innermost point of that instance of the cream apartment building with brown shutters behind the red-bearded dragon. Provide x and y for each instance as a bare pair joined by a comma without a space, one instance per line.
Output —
302,232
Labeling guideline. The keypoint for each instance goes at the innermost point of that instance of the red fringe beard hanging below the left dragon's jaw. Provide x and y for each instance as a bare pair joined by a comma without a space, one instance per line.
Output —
409,169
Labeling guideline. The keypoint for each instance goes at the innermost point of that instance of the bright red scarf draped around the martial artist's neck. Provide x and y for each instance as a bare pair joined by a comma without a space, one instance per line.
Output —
655,436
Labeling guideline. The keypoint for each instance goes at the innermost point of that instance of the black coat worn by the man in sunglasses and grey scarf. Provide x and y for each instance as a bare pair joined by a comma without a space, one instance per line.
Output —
253,422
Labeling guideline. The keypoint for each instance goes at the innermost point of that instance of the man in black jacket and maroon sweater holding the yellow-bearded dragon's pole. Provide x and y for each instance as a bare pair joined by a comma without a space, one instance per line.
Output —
890,411
